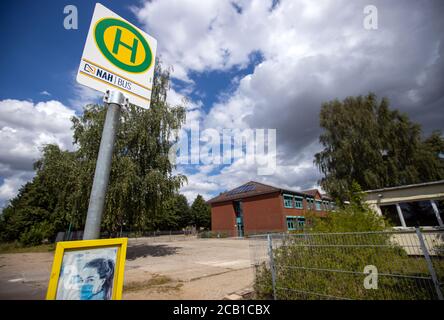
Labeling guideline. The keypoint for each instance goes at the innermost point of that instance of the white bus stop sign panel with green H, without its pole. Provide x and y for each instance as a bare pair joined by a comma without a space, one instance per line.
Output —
118,56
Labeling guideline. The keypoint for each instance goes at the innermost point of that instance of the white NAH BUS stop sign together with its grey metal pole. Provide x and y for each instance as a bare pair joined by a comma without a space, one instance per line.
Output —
118,60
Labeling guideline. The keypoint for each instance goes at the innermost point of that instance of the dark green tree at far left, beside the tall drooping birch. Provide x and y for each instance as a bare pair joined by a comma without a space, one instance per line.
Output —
43,205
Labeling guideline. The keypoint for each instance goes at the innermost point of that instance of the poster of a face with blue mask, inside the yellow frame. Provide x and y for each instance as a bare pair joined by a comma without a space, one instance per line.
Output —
87,274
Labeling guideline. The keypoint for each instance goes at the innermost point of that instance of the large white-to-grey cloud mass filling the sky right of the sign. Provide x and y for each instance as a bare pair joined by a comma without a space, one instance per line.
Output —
313,51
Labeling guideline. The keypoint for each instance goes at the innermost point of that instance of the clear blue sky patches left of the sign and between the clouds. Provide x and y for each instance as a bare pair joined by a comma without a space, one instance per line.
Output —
43,56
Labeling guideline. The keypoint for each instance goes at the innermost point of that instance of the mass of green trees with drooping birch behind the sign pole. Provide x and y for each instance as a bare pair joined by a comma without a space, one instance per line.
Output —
141,178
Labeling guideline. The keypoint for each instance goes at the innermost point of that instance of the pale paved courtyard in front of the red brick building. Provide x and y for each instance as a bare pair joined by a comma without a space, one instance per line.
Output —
161,269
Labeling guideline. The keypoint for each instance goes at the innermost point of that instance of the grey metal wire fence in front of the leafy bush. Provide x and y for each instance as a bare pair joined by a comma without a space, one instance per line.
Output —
366,265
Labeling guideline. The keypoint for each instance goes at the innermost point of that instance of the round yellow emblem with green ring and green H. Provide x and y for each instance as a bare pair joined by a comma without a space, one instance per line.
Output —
123,45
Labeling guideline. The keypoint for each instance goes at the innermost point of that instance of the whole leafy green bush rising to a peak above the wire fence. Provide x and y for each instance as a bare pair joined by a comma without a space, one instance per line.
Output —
328,262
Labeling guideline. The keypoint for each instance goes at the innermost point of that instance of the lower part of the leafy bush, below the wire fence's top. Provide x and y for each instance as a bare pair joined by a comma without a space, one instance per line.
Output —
304,263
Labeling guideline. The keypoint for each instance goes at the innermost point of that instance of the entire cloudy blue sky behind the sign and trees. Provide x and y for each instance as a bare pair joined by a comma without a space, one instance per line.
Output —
241,64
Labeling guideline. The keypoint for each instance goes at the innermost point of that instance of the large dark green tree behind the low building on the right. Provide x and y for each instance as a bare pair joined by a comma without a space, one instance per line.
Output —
368,143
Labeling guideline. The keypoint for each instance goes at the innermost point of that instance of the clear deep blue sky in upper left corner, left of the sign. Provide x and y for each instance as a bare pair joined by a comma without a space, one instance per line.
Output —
41,54
